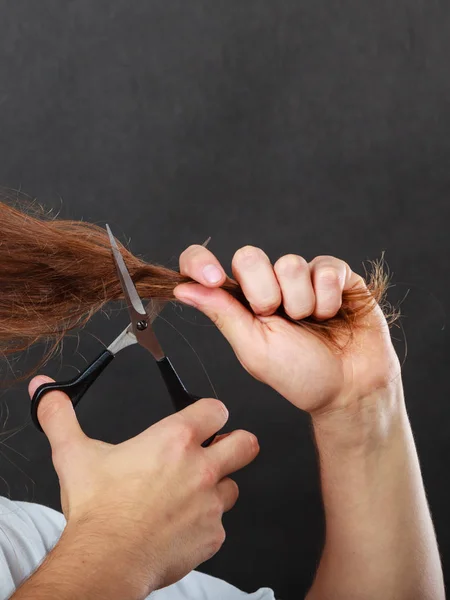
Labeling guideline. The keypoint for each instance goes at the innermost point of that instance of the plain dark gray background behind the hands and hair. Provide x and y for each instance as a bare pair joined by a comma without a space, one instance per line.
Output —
299,126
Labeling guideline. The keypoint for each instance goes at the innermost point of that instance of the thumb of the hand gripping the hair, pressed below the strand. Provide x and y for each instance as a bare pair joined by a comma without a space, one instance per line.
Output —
234,321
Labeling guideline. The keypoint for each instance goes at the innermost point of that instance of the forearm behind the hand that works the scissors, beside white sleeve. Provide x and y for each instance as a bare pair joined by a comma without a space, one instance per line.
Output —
84,565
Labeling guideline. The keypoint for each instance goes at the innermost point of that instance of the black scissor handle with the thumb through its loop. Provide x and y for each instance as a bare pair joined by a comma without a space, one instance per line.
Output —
75,388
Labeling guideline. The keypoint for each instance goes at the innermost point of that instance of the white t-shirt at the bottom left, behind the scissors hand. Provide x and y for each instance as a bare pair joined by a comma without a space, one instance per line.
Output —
29,531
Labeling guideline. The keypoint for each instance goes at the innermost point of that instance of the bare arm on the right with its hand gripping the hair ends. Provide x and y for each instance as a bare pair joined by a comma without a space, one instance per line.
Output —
380,542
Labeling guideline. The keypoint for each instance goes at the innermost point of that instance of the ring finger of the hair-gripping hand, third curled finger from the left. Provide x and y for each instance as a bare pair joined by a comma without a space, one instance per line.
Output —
294,278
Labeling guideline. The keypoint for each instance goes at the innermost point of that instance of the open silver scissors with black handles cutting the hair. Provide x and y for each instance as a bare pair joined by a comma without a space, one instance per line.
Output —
139,331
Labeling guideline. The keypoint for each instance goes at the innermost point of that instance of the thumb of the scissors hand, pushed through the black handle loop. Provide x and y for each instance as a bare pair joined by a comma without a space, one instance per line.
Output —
56,415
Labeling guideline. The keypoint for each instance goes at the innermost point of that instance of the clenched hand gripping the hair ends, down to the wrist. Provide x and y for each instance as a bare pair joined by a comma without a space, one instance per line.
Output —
295,362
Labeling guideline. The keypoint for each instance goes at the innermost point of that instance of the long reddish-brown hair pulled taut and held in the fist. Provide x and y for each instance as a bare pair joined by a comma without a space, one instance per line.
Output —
55,274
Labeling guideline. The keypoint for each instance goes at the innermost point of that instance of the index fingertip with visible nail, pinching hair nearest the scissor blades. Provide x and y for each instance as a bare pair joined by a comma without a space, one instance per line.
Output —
200,264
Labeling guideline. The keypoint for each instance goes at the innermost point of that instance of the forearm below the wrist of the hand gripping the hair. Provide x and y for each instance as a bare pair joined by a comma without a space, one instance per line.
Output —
380,540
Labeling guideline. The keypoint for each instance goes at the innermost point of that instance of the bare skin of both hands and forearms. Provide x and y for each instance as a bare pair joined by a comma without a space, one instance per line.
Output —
380,541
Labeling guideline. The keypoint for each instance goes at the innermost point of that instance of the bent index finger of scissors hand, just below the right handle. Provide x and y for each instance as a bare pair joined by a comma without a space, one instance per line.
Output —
199,421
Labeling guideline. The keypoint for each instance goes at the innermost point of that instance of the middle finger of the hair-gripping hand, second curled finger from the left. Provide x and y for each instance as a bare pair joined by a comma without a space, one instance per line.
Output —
254,272
